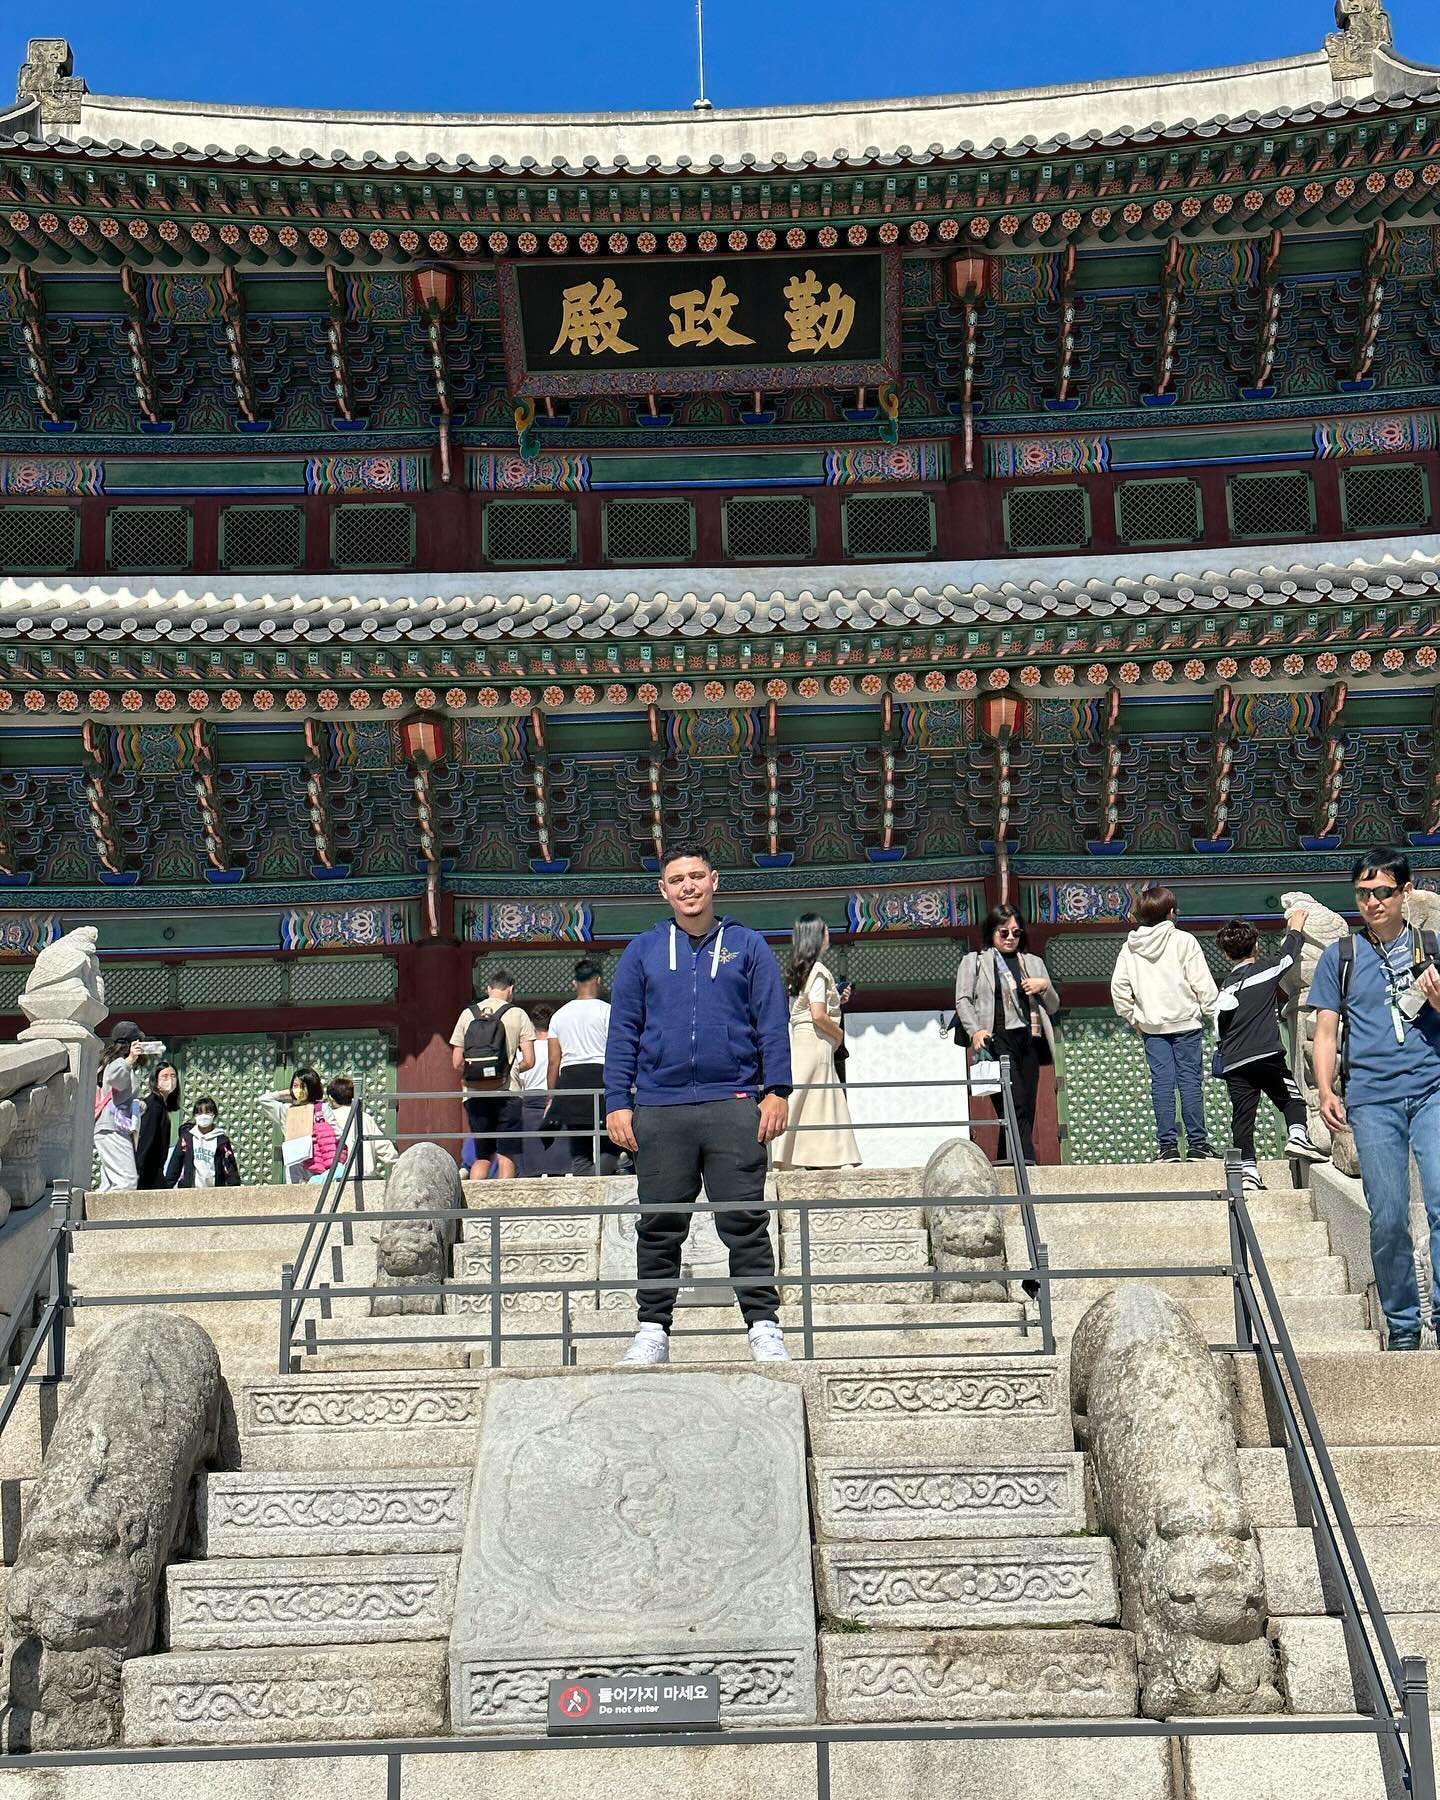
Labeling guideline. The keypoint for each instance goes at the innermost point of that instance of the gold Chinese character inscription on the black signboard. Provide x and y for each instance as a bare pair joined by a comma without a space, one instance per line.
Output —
816,318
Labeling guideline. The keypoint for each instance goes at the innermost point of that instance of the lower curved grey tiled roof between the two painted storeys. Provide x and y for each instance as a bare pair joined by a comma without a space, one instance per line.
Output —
719,602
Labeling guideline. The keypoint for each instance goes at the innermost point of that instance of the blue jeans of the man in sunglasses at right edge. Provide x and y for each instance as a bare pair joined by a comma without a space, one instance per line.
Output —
1387,1133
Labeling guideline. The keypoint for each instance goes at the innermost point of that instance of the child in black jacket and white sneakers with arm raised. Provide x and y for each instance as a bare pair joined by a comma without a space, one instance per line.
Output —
1250,1054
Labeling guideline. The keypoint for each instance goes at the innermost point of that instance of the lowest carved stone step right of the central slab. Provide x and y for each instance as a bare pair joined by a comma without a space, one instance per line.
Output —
910,1677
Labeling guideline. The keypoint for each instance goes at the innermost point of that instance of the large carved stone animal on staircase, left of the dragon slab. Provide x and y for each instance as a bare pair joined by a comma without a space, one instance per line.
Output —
112,1504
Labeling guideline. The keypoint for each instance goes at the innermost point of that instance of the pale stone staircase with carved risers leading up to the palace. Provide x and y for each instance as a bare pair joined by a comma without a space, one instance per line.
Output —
958,1574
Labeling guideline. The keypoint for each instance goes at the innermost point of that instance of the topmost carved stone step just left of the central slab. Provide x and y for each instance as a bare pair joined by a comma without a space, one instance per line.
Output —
370,1419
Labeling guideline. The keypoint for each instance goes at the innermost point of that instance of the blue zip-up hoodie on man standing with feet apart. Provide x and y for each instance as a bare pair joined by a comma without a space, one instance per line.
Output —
694,1023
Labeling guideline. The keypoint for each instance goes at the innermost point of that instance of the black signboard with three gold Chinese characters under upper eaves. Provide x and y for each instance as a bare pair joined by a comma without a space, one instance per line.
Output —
688,323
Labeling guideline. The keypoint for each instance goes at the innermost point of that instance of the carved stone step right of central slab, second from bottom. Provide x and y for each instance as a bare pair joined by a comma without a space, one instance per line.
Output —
931,1585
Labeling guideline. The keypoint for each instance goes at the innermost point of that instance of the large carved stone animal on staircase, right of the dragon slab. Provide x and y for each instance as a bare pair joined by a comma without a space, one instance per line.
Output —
1151,1410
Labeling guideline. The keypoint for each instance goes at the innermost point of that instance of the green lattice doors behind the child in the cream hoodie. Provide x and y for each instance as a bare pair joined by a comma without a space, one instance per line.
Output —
1104,1090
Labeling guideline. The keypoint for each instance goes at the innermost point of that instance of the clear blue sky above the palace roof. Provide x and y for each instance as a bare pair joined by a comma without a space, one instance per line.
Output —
624,55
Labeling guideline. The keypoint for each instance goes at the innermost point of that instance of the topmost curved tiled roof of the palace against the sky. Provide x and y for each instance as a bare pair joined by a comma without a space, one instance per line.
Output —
724,143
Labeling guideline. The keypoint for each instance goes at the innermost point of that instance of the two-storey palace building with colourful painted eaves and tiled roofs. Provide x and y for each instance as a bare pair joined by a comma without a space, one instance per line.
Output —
409,523
